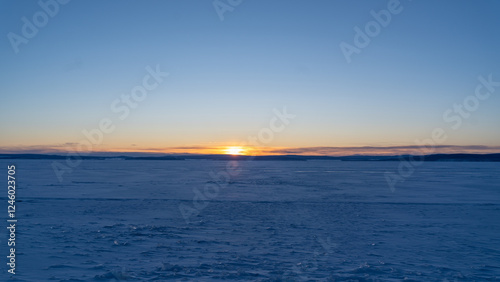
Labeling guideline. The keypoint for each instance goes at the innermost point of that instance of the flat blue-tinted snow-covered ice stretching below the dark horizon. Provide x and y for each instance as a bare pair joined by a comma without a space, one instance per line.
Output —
274,221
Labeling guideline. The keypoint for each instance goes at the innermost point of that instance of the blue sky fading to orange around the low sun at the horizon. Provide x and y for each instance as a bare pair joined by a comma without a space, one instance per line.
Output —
275,77
